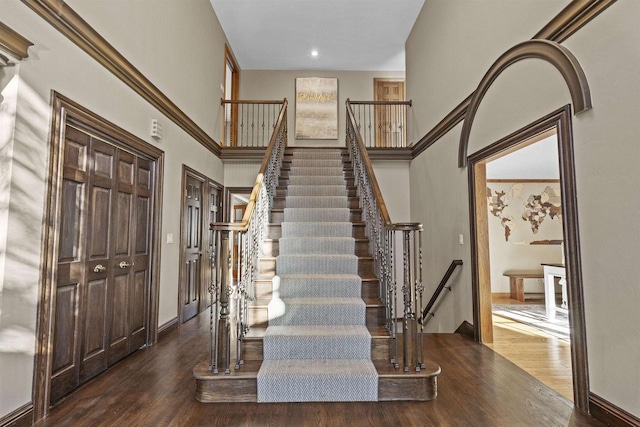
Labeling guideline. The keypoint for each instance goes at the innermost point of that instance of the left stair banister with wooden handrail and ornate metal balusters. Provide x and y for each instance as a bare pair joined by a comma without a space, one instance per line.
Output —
249,235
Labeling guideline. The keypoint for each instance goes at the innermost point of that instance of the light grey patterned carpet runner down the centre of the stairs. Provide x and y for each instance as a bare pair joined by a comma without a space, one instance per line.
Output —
317,346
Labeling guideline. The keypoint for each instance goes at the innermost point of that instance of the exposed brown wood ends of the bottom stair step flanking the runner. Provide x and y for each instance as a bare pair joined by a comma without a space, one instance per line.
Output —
241,386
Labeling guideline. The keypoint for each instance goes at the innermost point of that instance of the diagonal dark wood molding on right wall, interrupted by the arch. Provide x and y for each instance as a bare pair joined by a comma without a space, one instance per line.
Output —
573,17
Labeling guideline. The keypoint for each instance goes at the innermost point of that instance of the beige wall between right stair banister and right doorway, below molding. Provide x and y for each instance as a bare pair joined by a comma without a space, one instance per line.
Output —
439,200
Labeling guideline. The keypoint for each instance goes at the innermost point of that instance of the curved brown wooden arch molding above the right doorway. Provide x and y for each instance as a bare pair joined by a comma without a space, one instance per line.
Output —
552,52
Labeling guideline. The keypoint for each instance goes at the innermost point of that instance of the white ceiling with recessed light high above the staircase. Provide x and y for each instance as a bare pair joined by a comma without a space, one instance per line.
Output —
360,35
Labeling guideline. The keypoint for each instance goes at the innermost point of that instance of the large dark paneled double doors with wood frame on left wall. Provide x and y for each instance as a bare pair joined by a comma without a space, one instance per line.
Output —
99,290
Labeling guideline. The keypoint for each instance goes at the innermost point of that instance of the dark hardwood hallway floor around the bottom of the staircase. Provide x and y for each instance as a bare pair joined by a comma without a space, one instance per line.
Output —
155,387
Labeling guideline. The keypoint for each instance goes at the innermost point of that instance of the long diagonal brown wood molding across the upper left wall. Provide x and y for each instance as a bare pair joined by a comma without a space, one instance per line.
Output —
70,24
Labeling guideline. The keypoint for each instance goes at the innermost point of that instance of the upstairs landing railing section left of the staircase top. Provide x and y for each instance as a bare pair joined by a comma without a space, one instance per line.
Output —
250,123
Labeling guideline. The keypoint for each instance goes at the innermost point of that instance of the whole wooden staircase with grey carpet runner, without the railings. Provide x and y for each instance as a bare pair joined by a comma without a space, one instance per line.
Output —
317,328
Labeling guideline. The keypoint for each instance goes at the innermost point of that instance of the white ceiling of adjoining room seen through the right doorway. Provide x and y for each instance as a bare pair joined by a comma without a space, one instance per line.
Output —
535,161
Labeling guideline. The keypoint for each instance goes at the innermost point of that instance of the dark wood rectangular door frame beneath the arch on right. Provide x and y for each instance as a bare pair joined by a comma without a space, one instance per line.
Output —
561,121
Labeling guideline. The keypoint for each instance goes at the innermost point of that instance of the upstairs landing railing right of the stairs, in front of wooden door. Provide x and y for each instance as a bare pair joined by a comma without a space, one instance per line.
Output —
382,124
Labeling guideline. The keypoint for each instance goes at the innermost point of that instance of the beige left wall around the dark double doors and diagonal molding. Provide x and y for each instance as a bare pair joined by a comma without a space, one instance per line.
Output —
151,42
